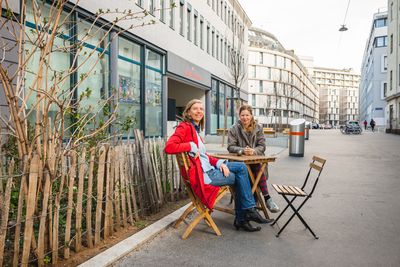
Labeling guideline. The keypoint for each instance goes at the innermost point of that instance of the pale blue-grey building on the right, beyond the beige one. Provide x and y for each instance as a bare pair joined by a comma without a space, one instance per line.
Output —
373,85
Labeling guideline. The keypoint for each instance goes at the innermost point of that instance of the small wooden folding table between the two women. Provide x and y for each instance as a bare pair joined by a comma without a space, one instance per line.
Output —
254,178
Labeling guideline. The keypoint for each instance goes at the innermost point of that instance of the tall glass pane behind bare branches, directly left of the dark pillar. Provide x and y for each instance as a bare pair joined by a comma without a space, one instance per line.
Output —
93,64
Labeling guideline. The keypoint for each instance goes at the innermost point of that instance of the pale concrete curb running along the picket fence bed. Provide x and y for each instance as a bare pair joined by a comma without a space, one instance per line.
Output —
116,252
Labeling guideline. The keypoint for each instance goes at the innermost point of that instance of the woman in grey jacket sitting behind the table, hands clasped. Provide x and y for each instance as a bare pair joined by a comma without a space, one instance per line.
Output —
247,137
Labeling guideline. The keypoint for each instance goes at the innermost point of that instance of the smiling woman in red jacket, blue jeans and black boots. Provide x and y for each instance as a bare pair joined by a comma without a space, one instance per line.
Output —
207,173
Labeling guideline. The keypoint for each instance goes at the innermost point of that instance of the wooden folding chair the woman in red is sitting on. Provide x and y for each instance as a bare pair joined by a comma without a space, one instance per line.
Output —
203,211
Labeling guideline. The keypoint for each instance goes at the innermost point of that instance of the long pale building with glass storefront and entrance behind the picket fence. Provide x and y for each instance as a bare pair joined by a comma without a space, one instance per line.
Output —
157,68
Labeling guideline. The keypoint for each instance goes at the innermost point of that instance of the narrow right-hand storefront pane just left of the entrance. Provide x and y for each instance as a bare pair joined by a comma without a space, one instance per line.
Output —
153,94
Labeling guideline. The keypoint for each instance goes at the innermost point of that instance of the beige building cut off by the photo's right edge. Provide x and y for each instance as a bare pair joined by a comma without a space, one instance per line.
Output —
393,73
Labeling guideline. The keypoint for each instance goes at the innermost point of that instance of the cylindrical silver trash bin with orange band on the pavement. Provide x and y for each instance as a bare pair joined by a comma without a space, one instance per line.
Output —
296,138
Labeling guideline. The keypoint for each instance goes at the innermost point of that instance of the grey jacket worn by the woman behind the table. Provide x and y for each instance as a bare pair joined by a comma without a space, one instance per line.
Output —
238,139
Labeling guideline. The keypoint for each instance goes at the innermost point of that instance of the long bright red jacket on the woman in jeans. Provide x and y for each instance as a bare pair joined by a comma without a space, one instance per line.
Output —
180,142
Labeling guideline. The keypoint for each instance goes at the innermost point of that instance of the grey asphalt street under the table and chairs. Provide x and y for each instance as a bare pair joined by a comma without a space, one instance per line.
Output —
354,211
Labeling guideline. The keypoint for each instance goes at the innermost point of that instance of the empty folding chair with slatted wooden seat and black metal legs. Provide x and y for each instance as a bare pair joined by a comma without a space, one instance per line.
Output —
317,166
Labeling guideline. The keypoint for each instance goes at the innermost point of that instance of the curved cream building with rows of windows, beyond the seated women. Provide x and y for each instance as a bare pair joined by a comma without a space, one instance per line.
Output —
280,88
